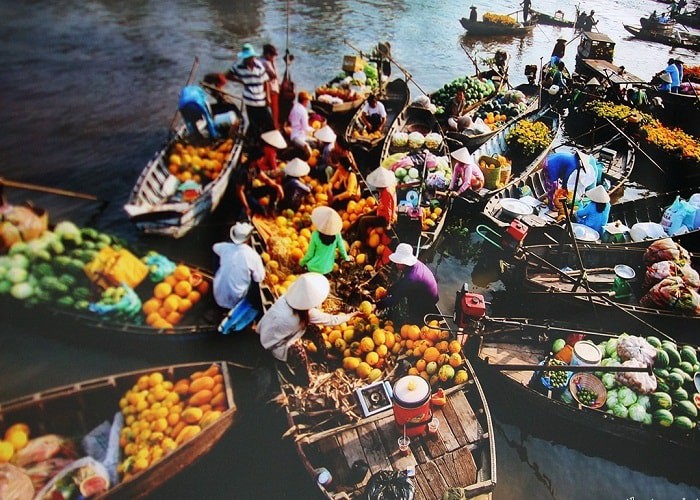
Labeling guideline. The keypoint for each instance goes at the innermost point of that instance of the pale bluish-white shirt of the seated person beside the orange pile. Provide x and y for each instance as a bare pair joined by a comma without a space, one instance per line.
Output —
238,265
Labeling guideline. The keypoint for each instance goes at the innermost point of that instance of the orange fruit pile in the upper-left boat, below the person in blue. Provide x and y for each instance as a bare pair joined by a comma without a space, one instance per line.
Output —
200,164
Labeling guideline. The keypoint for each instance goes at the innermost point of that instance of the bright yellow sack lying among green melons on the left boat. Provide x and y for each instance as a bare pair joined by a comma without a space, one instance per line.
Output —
113,267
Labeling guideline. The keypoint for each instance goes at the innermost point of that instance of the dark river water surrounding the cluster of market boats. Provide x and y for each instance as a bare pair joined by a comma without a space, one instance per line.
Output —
87,93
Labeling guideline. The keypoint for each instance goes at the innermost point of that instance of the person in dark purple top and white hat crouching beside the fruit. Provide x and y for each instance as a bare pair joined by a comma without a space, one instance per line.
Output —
416,285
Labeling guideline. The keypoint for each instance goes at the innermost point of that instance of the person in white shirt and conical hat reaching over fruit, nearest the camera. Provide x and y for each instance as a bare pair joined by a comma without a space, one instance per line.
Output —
289,318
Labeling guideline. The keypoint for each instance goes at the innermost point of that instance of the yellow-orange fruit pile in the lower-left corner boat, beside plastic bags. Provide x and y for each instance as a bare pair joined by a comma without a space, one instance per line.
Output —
160,415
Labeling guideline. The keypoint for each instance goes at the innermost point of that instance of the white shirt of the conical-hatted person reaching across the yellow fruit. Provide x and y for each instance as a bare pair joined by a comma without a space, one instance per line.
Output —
280,327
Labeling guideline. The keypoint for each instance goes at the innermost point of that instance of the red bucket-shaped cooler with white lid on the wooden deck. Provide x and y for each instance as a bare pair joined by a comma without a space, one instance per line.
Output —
411,404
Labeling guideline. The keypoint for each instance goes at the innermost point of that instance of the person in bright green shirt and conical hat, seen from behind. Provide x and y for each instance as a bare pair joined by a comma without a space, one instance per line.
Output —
325,240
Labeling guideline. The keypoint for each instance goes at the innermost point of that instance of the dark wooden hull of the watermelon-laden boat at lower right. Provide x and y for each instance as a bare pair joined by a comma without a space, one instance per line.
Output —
499,345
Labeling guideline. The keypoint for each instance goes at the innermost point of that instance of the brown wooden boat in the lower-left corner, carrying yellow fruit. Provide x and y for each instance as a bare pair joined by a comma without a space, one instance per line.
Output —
66,413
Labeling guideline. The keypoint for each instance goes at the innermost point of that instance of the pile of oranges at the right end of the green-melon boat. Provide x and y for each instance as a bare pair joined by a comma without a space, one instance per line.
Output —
173,297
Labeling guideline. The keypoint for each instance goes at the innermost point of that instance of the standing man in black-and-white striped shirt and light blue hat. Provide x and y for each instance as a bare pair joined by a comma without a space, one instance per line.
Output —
256,90
